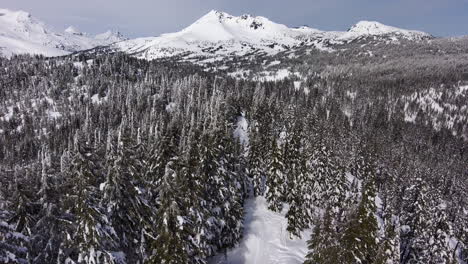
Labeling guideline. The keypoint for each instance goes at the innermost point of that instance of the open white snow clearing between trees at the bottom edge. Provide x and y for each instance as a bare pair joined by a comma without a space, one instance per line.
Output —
265,240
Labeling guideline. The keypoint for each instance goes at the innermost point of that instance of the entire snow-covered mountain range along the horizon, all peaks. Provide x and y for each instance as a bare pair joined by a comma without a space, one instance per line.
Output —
217,35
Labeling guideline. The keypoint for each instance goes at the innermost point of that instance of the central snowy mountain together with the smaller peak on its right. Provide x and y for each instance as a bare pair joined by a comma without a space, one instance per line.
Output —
220,34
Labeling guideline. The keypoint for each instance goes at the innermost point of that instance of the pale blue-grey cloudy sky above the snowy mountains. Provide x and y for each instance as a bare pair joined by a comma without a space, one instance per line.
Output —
136,18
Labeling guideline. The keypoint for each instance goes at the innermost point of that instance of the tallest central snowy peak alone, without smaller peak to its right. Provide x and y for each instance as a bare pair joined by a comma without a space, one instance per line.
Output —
216,33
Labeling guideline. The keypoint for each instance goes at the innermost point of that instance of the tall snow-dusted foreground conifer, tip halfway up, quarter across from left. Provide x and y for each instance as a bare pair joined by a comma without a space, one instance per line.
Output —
128,209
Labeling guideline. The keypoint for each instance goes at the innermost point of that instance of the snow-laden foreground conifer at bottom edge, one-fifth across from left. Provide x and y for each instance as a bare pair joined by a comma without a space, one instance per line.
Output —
91,237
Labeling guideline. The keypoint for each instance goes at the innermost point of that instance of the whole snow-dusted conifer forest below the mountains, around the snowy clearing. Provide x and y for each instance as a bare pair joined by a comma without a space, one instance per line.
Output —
112,159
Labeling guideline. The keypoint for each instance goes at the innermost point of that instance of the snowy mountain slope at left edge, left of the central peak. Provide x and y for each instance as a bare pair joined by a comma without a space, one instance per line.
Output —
22,33
